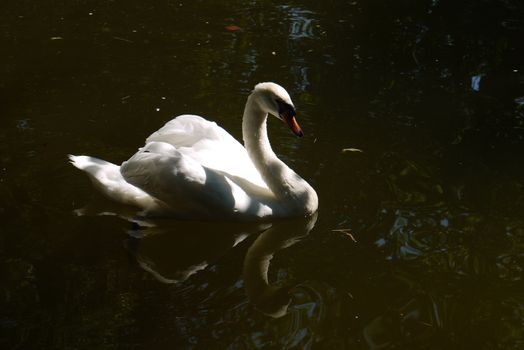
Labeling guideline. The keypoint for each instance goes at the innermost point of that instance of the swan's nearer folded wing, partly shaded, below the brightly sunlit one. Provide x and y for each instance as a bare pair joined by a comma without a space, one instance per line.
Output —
183,184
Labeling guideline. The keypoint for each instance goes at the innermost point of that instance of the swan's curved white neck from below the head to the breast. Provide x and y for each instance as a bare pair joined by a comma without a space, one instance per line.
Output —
290,189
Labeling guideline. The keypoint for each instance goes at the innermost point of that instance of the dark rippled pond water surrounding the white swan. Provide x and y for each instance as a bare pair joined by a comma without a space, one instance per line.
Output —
419,241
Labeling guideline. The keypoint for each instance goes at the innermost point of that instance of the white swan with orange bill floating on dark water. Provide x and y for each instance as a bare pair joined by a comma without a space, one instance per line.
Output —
192,168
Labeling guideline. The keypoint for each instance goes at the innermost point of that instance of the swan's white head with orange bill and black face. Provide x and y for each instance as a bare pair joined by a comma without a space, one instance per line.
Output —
275,100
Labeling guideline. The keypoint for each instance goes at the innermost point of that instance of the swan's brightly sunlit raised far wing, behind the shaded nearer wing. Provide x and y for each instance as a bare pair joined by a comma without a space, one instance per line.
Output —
209,145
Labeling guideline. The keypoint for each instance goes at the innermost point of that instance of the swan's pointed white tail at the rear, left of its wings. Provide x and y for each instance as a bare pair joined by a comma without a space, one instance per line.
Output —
106,177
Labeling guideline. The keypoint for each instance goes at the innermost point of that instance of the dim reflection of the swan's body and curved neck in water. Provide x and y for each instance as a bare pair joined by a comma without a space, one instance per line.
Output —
174,251
